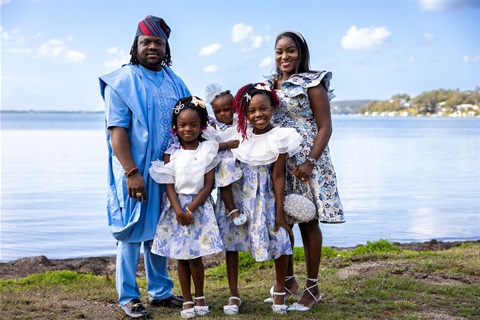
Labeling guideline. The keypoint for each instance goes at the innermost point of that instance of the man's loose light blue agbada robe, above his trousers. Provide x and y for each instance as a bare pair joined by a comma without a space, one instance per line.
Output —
131,86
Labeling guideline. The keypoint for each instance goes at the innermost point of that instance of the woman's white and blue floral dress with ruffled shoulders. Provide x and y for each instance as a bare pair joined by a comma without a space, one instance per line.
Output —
295,112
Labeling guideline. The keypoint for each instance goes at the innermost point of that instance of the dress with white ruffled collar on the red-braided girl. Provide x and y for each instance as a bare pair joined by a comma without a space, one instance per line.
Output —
257,155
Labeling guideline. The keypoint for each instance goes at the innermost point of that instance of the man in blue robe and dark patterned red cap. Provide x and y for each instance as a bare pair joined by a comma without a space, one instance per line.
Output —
138,99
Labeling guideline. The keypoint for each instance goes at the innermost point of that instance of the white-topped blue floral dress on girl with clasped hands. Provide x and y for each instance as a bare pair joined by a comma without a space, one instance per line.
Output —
186,171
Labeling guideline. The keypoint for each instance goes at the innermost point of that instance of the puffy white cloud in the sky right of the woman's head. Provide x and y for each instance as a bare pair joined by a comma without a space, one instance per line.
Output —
364,38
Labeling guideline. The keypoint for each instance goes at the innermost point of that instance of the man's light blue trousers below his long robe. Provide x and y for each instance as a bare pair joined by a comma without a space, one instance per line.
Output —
159,285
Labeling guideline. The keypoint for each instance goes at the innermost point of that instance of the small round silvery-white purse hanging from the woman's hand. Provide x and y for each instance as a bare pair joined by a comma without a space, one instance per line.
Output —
298,206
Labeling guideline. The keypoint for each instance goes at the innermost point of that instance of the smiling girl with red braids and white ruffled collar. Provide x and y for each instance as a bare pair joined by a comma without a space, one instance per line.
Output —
262,154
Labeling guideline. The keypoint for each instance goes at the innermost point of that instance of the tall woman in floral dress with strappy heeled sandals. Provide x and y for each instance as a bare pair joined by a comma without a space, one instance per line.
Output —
305,105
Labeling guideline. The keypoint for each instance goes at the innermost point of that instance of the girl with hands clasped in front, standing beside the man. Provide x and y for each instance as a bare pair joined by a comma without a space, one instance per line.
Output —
187,229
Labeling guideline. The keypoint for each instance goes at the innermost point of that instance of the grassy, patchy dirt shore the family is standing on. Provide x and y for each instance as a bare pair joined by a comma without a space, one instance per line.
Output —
378,280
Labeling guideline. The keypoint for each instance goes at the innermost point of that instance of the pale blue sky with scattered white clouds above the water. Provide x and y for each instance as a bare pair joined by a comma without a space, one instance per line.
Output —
52,52
